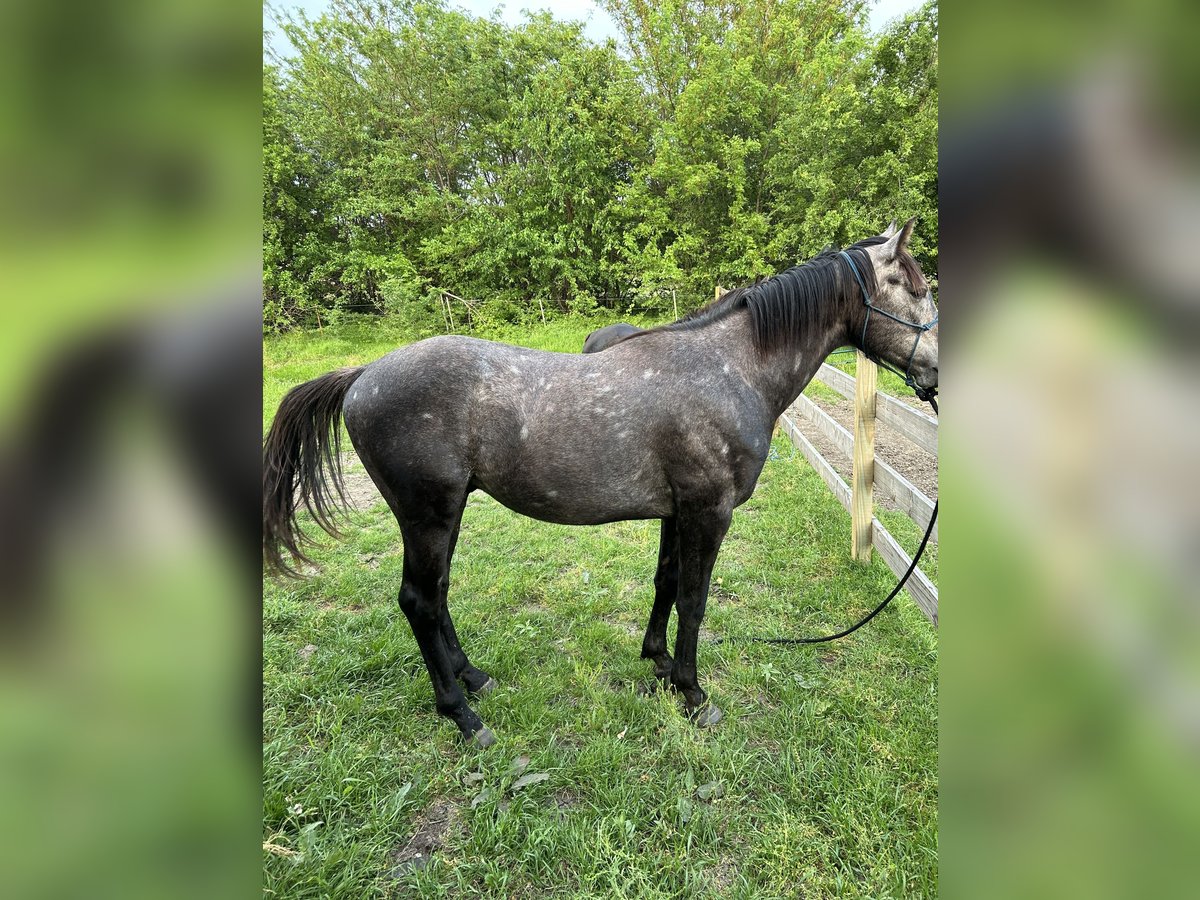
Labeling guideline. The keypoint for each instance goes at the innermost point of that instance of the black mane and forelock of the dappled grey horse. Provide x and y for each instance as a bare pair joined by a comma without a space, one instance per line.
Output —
799,302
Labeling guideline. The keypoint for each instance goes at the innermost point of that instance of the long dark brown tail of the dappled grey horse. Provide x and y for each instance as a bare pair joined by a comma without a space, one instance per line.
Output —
302,464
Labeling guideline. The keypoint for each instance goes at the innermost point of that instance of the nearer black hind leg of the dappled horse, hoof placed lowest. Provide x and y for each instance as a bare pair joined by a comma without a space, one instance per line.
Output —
423,601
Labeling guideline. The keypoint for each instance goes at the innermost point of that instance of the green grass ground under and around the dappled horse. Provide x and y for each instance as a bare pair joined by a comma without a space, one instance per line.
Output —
823,781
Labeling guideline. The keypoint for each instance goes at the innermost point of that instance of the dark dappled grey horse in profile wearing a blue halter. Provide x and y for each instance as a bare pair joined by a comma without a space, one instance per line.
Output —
673,423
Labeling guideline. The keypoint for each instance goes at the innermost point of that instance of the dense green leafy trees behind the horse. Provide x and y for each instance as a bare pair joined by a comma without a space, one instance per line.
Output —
412,149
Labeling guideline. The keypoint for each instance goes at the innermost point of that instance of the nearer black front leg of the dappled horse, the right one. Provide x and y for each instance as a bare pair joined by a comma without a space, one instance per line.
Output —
701,532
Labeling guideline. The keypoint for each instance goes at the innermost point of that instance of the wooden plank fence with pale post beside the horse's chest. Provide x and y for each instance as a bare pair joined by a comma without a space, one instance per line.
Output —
868,472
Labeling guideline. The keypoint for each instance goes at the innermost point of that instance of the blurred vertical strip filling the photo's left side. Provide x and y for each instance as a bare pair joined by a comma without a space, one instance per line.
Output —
130,278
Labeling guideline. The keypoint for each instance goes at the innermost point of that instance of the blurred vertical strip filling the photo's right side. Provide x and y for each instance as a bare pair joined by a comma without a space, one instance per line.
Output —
1071,669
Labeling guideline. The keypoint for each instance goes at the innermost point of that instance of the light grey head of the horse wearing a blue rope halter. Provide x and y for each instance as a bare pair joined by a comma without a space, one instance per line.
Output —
898,325
